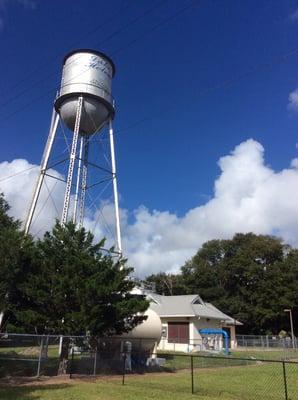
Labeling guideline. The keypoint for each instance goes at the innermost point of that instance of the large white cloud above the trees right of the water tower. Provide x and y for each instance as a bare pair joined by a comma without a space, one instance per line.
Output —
248,196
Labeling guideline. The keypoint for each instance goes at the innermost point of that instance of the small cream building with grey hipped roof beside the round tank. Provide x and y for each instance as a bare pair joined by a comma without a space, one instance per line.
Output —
184,316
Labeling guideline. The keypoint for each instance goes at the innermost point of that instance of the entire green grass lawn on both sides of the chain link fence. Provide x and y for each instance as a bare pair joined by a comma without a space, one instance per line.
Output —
225,378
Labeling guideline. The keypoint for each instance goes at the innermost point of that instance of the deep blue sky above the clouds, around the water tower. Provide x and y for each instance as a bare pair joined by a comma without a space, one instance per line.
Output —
169,161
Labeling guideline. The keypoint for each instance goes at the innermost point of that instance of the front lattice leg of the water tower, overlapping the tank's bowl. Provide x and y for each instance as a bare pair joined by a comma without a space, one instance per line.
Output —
72,160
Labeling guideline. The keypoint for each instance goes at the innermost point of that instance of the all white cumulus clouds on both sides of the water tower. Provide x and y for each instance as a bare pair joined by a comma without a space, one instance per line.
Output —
249,196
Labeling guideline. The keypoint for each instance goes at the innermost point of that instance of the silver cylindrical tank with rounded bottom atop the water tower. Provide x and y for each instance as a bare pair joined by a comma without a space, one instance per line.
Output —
86,73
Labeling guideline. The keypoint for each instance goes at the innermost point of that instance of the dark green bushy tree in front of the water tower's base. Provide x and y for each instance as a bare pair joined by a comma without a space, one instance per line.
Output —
72,288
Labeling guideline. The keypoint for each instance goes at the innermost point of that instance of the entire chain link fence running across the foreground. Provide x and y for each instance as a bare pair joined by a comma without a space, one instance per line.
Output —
127,360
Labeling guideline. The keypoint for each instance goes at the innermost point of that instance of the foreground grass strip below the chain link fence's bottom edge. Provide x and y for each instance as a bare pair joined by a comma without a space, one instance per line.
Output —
263,381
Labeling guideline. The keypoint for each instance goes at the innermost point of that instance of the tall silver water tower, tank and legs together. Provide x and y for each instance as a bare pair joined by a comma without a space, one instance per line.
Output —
85,106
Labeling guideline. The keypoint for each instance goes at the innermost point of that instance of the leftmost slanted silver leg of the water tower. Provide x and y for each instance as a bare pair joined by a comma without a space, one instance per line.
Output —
43,168
